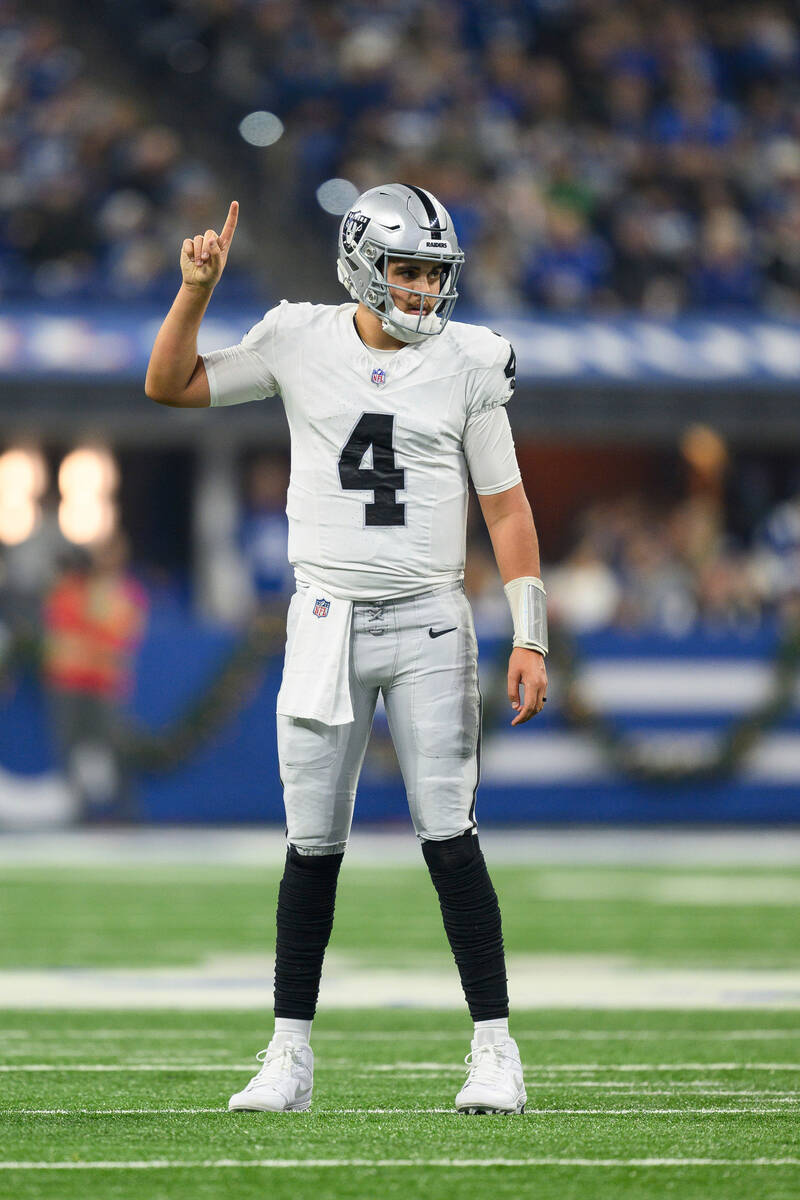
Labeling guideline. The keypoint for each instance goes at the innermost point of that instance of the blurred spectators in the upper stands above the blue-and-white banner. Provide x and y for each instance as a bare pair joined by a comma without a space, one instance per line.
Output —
596,155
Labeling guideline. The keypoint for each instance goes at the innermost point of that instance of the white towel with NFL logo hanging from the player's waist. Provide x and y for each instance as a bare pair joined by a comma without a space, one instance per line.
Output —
317,671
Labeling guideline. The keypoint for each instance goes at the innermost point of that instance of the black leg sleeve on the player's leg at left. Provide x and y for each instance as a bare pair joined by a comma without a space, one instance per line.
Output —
306,902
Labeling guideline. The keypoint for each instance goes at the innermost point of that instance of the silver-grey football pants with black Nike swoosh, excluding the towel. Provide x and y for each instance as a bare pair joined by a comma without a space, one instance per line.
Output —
422,653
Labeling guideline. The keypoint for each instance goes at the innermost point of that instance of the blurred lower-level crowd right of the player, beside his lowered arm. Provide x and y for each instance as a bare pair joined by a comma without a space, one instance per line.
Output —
660,569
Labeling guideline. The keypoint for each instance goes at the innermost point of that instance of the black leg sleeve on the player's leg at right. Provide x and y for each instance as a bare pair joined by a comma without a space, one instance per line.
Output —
472,916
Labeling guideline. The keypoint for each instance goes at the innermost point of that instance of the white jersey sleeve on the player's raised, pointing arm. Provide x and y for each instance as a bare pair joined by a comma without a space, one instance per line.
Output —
245,373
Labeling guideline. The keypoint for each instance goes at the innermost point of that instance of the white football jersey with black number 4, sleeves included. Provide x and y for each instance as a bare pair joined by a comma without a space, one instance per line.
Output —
381,443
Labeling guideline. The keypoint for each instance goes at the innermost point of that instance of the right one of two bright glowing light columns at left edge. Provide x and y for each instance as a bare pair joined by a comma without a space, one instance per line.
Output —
88,478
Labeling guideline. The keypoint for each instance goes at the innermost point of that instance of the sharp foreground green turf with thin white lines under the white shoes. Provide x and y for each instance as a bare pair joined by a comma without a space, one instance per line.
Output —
573,1063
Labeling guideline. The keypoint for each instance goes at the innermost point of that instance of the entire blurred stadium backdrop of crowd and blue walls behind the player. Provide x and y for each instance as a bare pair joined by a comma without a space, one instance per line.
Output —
625,179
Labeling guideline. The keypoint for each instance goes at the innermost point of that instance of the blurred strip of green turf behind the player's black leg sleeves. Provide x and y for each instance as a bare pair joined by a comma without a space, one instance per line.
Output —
136,916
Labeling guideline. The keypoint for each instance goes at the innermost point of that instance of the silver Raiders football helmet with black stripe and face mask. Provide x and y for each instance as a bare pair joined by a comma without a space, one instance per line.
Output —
399,221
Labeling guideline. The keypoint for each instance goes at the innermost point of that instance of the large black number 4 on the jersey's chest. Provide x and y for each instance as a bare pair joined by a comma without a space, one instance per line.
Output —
384,478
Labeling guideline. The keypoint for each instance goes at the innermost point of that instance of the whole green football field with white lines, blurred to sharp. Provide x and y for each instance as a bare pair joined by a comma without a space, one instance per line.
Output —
146,982
